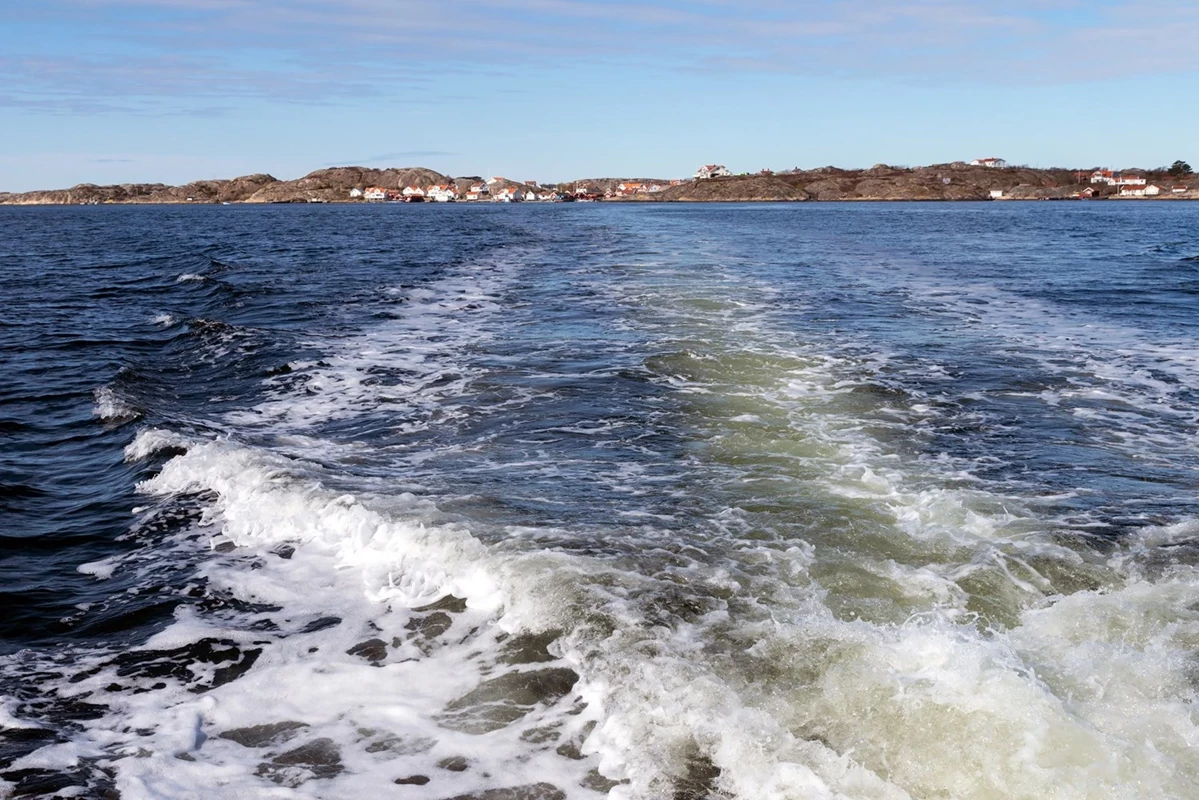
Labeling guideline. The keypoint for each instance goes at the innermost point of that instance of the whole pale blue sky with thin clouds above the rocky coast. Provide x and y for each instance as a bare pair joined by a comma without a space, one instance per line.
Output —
177,91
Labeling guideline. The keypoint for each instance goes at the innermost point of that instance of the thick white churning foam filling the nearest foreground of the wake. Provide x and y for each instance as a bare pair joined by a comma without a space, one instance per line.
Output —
364,646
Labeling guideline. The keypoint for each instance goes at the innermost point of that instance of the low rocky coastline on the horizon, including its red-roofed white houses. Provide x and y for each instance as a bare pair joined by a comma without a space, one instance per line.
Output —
950,182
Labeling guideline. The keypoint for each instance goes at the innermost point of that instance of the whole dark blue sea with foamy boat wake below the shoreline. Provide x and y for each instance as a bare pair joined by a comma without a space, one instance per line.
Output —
806,502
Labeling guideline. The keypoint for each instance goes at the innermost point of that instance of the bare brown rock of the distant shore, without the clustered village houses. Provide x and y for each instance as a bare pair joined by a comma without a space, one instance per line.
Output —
954,182
